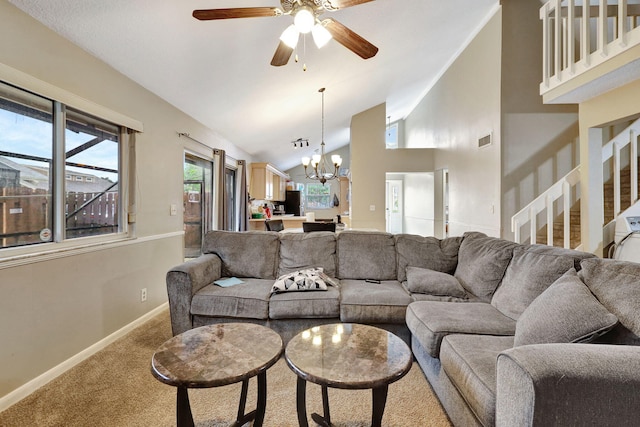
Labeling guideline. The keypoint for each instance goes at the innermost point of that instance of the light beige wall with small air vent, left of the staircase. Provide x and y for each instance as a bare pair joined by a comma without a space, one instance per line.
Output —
463,106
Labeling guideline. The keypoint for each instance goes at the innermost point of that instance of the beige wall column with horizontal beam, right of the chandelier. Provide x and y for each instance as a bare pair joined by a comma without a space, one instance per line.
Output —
370,161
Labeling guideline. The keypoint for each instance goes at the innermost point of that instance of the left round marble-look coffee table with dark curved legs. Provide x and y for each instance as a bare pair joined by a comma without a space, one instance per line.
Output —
217,355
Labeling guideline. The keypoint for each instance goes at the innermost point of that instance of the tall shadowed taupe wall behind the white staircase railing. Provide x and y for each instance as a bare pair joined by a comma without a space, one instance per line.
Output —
539,142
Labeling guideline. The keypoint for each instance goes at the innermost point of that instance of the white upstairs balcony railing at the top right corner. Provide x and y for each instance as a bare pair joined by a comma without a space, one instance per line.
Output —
579,35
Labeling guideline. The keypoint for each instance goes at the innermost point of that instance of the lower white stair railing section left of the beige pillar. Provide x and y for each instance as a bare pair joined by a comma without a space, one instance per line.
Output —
564,189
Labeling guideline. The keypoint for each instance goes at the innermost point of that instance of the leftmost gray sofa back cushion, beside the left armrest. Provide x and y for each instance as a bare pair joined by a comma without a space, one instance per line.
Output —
245,254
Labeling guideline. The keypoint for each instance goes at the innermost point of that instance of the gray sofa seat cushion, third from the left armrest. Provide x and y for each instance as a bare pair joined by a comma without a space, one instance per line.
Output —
363,302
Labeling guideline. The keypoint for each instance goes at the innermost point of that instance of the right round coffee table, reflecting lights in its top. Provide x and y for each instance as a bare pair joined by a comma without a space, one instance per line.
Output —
346,356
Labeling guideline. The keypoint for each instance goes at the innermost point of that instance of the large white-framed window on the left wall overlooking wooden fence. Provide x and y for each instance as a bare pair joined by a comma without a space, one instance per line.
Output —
60,173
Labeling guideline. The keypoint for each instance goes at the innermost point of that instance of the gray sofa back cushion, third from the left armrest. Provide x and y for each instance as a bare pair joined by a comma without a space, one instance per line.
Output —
366,255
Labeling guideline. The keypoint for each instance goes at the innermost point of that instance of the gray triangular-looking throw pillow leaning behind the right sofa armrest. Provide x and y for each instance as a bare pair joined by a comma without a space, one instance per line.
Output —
565,312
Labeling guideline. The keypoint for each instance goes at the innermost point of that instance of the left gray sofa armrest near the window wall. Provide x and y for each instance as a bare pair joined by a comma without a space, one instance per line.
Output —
183,281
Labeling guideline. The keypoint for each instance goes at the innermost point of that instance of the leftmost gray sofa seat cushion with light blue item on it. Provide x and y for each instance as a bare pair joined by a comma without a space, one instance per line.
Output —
248,300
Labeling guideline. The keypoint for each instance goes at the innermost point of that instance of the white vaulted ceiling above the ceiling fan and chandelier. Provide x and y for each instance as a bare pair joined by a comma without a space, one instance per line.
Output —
219,72
